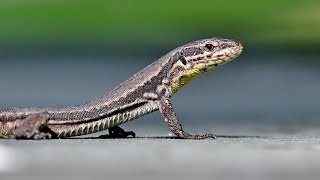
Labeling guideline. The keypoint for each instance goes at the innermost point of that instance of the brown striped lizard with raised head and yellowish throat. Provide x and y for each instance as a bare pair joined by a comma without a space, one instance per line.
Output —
147,91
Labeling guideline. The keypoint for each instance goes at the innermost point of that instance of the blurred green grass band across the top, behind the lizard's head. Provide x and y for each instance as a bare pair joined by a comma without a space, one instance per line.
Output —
266,24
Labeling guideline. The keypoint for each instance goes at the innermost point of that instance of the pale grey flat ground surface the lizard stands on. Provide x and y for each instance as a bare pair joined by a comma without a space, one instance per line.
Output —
159,158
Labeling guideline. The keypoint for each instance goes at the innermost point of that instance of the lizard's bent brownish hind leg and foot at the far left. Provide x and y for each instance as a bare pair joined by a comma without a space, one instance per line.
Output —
32,127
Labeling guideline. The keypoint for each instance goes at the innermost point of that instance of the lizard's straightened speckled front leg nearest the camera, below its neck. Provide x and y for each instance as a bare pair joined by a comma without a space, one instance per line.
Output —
173,123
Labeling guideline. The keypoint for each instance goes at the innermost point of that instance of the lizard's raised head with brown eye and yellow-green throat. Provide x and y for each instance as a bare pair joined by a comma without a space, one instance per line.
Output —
202,56
